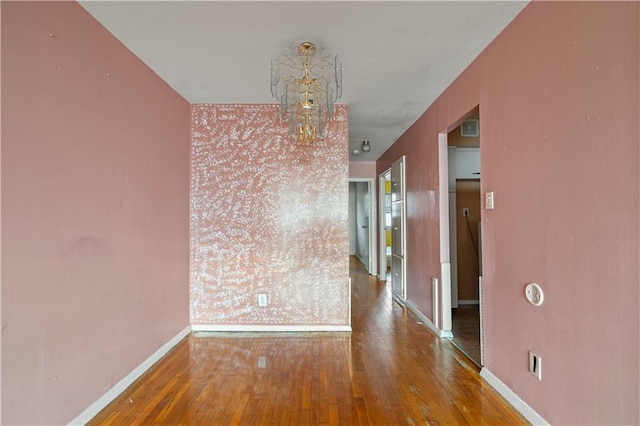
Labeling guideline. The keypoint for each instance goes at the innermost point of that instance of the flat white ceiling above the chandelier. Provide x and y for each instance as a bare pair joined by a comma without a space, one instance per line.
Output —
397,57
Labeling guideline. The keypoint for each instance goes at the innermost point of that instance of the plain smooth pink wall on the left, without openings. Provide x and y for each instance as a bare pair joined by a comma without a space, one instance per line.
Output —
95,178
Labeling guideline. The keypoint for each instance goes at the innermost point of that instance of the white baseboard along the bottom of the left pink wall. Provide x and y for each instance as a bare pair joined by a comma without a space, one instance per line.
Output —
91,411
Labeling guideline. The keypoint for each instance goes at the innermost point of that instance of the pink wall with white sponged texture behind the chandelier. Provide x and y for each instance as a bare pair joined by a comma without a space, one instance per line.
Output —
267,216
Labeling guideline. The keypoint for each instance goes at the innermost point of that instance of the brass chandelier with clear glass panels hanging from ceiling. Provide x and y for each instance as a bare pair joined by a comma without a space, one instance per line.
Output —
306,84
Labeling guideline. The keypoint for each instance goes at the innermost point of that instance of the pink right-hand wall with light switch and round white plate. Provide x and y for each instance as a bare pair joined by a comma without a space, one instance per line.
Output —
558,96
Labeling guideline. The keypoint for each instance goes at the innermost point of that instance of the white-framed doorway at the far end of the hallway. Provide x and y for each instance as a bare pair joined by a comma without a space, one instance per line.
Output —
362,223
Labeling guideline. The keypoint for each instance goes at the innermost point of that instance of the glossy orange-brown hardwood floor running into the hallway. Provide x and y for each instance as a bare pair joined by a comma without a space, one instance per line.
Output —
389,370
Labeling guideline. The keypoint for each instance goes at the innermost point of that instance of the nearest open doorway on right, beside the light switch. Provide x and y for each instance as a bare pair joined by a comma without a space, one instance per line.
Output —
464,236
